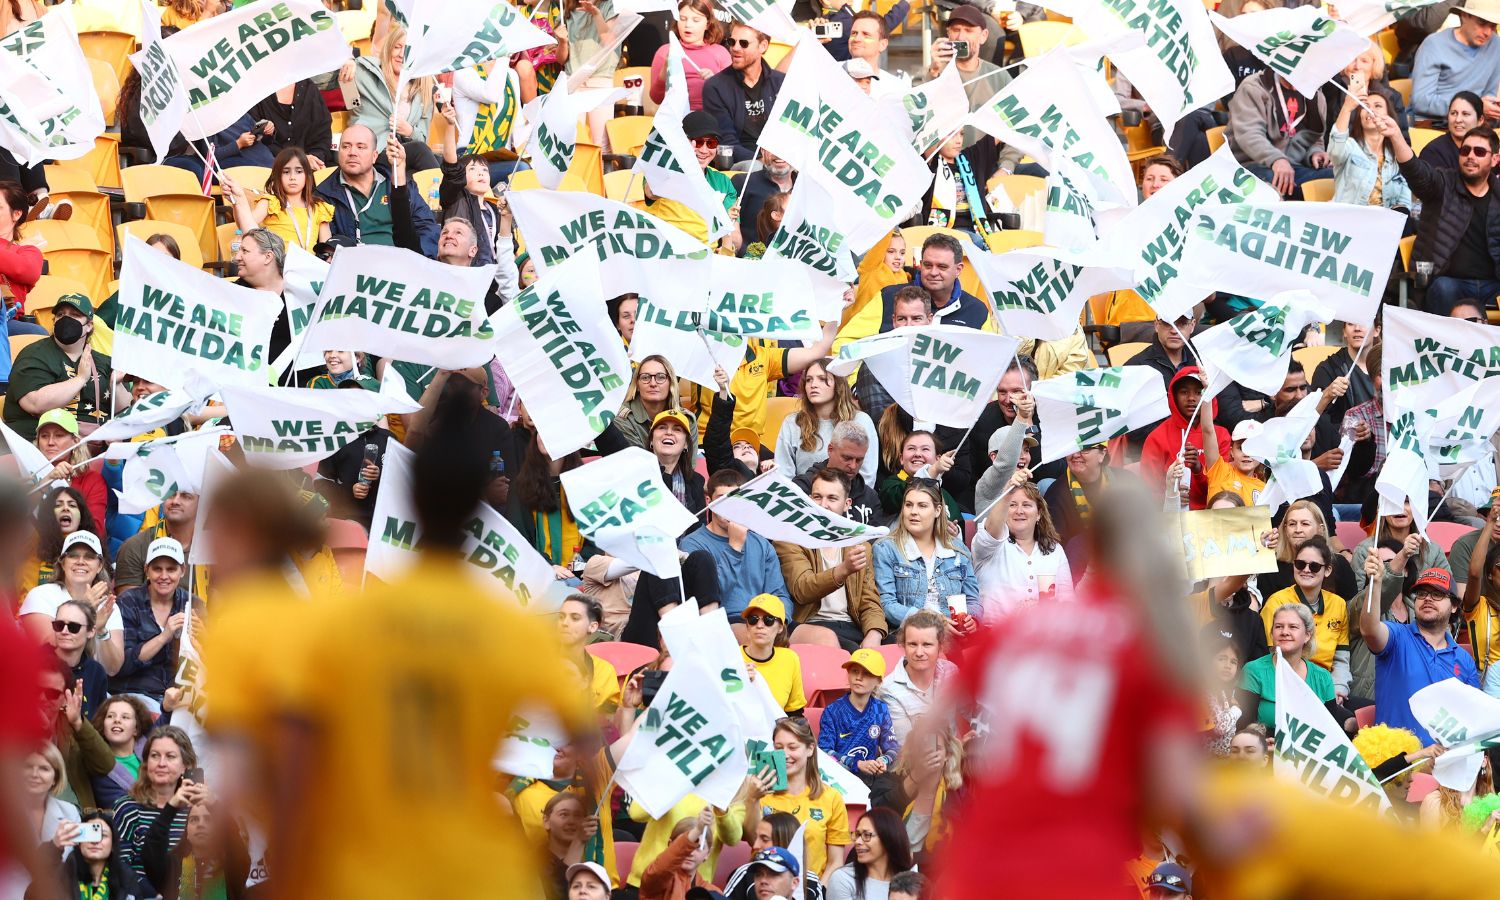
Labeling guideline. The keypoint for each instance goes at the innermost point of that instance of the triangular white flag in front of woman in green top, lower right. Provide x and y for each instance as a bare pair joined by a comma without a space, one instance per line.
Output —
1313,749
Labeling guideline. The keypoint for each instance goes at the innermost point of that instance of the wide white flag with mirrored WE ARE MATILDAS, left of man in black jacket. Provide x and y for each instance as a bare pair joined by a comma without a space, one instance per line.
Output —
1340,253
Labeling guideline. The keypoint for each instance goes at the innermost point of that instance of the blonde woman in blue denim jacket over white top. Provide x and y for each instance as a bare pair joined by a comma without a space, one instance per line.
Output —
919,566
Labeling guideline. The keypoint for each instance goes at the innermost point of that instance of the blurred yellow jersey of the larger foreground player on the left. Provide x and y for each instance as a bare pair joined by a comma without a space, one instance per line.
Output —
407,691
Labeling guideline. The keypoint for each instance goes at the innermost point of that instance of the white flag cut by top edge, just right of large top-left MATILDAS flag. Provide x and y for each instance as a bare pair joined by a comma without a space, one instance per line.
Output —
448,40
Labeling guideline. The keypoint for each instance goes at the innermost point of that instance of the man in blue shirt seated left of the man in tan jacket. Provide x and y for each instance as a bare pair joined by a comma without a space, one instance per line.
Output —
748,565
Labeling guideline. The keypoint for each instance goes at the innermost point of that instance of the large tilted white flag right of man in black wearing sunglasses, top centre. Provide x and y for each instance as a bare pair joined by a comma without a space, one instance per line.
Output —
832,133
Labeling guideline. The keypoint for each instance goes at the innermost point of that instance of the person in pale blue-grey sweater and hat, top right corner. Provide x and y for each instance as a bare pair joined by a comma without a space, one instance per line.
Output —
1459,59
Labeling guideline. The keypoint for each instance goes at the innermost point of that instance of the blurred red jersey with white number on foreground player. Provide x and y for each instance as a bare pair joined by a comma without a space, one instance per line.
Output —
1072,698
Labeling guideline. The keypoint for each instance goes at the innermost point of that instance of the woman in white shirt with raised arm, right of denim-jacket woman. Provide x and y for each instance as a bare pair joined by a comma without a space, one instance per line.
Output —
1019,556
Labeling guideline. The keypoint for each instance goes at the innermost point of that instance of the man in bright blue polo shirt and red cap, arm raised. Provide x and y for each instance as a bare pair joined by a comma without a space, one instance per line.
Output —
1411,656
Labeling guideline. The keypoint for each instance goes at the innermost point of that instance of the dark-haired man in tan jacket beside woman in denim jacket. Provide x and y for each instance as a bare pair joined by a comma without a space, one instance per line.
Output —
835,598
